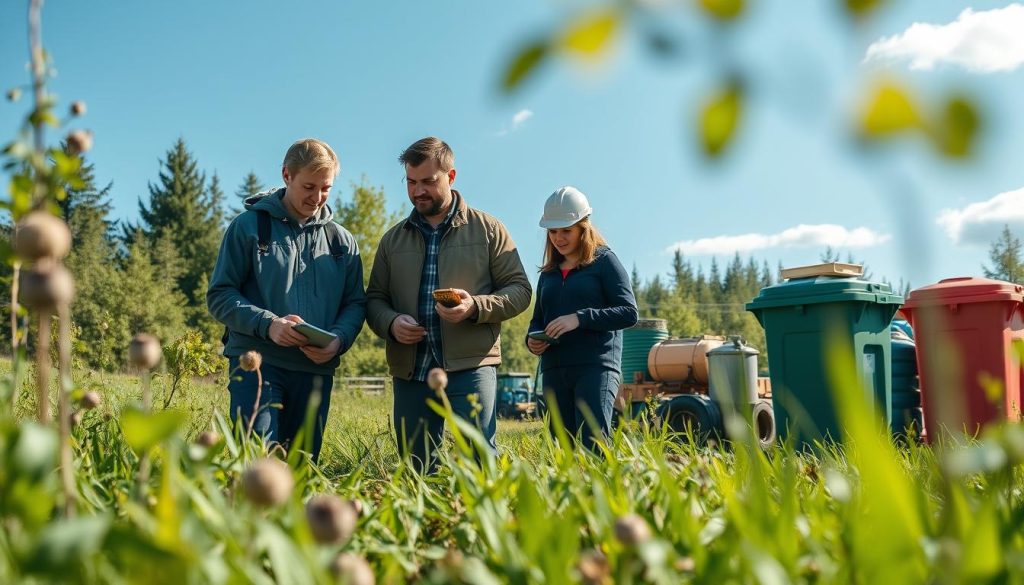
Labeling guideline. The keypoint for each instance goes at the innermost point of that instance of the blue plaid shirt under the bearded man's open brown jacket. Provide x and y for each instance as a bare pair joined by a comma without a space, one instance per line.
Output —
430,353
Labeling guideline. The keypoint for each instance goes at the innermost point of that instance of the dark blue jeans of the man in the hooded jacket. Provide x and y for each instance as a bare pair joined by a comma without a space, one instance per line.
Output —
287,388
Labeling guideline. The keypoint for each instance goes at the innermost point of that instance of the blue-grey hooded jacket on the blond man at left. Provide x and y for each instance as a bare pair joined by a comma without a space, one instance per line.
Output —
296,276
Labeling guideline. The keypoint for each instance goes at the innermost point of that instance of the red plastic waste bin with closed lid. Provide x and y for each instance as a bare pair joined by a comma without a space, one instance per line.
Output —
970,372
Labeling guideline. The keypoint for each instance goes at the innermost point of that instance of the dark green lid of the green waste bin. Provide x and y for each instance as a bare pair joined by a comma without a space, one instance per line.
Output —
824,289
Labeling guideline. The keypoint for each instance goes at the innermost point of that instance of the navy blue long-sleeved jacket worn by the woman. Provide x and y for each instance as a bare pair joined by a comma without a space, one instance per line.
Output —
602,297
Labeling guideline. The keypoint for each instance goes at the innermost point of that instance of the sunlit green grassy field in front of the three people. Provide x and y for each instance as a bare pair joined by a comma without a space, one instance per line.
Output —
651,510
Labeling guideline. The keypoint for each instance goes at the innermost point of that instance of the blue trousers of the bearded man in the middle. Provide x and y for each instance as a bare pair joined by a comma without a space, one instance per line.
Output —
419,430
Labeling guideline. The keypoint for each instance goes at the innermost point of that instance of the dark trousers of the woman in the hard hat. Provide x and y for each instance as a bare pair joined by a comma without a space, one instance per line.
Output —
580,390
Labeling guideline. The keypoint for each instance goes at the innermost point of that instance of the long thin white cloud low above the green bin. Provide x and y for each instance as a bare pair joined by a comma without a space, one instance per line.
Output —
800,237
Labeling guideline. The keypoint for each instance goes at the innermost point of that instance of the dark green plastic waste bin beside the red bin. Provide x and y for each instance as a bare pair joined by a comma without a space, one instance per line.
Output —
798,317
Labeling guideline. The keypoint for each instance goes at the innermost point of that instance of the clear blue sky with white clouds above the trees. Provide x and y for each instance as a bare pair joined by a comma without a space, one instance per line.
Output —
241,81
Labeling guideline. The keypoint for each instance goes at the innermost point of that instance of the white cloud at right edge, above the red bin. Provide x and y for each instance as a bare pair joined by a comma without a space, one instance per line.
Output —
982,223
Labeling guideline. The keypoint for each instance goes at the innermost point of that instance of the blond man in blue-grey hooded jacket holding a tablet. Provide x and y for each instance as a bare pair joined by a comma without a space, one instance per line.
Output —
285,262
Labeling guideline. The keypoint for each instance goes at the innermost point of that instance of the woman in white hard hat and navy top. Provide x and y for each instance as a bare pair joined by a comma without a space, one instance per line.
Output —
584,301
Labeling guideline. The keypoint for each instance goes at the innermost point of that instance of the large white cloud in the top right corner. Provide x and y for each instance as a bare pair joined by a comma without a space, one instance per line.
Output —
985,43
